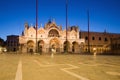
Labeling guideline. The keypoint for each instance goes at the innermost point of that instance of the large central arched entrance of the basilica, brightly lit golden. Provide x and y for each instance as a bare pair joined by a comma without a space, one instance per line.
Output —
55,44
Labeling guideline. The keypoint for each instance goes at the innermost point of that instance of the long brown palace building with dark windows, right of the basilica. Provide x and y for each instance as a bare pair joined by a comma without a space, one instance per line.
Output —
102,42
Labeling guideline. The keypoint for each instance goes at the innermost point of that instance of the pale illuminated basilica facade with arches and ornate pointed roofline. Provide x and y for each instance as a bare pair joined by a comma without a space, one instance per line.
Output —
48,37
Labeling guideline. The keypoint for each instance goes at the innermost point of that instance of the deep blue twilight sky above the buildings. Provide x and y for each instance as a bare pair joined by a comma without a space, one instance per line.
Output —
104,14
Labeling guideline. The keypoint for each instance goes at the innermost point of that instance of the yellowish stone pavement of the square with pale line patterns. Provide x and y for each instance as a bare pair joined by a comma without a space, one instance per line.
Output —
60,67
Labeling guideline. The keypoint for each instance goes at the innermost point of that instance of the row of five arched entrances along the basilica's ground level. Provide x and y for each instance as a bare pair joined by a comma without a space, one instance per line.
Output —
58,45
